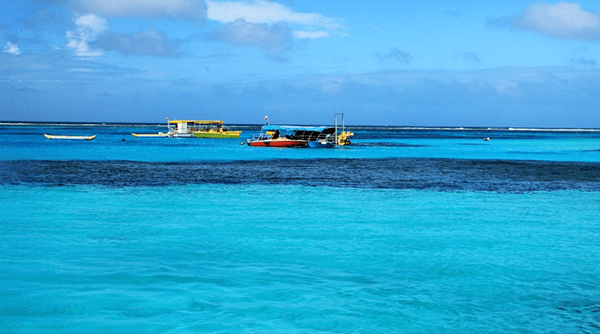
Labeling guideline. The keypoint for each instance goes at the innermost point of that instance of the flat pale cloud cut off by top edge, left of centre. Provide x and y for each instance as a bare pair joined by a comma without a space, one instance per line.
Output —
189,9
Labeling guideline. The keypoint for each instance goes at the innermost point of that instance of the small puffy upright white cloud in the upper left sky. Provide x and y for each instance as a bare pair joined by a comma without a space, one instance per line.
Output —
88,28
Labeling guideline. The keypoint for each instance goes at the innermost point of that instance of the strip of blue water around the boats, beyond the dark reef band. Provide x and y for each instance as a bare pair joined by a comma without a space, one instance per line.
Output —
28,143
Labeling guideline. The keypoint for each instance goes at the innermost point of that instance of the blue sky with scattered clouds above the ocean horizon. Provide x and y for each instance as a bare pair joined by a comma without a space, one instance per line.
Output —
380,62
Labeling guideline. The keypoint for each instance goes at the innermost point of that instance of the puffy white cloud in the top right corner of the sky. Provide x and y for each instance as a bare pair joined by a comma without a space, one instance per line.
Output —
564,20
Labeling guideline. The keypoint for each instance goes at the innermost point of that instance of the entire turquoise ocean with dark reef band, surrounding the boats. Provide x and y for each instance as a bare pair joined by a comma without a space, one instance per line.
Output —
409,230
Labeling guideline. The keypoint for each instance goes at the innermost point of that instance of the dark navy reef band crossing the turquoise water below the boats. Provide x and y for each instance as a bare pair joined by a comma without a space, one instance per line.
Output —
397,173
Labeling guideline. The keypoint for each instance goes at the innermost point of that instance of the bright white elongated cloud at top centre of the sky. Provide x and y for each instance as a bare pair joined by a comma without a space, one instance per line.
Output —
264,12
